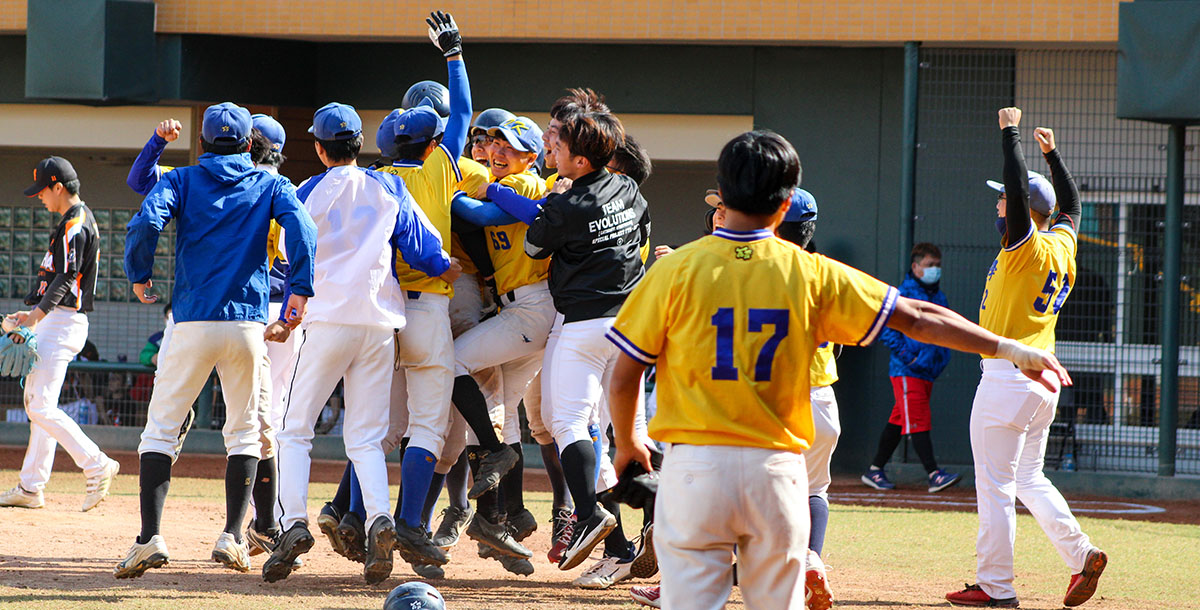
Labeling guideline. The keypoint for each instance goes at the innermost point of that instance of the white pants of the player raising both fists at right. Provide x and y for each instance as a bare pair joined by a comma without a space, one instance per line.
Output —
1011,418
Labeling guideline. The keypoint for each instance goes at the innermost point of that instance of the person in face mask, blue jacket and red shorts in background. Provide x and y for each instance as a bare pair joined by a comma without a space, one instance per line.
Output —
914,367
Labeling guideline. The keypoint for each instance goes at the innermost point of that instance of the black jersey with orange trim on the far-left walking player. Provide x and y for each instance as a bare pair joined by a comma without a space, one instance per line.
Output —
68,274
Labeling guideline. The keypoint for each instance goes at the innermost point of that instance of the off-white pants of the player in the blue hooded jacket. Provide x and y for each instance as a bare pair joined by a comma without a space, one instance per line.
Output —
237,351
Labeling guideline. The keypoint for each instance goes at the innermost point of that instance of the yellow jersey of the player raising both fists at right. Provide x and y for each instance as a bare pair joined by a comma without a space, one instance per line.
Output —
1027,286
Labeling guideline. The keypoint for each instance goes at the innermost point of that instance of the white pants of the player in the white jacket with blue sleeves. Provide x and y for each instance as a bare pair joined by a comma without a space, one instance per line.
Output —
363,357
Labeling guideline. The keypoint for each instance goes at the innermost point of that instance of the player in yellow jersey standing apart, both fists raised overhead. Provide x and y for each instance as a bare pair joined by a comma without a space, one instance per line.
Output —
1011,416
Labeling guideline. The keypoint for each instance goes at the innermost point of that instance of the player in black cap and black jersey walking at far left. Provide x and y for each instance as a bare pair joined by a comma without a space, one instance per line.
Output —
62,298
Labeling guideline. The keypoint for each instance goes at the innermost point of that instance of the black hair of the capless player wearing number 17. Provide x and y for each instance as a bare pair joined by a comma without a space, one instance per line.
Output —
757,172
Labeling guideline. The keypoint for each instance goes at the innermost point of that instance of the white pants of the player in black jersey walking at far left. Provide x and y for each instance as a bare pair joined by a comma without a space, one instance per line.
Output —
61,336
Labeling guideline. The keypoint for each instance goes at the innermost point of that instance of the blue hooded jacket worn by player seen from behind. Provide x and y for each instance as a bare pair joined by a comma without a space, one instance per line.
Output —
223,207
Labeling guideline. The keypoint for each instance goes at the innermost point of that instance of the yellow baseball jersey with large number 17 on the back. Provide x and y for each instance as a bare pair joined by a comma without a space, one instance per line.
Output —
729,320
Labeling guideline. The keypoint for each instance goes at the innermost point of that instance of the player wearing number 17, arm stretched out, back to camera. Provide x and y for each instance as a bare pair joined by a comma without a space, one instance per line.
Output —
735,420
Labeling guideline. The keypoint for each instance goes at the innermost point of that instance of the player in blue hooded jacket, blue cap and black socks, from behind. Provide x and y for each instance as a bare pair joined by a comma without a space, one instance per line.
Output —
224,205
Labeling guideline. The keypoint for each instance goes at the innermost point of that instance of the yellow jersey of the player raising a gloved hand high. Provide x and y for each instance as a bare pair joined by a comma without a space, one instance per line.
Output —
433,186
